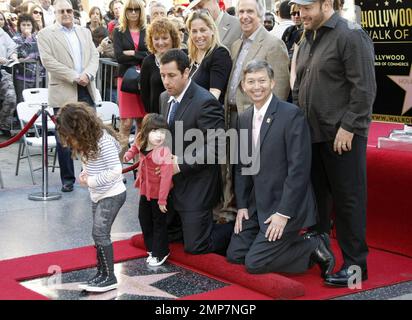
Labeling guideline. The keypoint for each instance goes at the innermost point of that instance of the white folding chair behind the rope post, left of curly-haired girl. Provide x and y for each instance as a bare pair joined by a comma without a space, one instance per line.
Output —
33,139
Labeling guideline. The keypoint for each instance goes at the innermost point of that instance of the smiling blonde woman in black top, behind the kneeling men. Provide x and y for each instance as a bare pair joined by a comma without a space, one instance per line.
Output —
210,60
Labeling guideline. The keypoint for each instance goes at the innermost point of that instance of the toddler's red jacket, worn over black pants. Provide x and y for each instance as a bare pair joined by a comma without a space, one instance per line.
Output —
150,184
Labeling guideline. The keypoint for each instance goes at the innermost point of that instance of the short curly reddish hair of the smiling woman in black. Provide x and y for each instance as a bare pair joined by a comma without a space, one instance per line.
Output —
159,27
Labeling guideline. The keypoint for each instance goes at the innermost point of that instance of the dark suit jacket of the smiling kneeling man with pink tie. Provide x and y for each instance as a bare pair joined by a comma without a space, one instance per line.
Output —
282,183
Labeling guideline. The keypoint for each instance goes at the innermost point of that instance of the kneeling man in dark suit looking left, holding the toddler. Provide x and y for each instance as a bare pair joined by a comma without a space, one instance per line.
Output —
197,181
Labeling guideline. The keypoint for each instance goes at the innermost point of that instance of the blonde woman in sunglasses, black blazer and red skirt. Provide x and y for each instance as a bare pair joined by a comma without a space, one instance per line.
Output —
130,50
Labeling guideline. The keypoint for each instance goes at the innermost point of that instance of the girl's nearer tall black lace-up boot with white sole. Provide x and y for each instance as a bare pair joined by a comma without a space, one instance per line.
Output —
107,280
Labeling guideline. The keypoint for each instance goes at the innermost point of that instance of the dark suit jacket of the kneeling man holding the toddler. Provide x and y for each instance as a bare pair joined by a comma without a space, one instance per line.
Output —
197,186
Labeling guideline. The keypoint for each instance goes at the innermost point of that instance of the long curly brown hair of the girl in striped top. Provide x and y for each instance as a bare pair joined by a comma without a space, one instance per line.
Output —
79,128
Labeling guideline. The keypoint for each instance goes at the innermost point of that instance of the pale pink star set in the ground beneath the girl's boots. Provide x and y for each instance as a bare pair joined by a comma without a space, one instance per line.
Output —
131,285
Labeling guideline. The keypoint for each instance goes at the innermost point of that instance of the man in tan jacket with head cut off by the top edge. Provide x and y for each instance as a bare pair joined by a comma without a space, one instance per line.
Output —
227,25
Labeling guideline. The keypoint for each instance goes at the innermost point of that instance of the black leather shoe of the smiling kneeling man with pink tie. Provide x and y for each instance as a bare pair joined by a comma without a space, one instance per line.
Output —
323,255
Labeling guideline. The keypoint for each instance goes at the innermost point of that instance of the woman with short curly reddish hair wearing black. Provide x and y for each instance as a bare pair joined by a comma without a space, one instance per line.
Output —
162,35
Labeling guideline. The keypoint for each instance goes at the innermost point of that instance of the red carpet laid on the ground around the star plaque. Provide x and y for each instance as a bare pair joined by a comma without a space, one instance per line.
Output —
384,269
